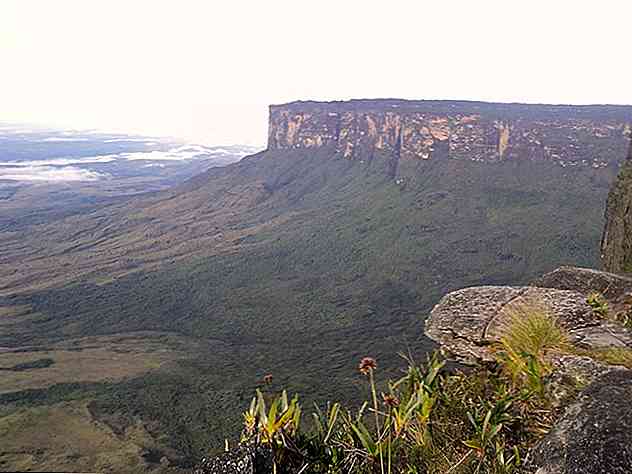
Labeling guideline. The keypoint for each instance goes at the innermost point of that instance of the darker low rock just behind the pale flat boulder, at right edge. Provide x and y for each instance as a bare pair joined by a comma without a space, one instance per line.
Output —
585,281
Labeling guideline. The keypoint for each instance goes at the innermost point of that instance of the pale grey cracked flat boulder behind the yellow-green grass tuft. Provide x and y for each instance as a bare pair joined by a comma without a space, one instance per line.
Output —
466,322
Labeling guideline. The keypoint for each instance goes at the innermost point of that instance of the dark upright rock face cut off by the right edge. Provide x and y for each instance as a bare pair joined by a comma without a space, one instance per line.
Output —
616,244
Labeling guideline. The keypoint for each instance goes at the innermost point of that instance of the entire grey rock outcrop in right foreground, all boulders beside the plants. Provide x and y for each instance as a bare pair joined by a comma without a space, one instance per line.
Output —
593,435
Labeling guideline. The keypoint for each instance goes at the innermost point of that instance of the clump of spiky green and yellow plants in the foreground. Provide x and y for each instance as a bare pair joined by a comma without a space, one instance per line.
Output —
429,420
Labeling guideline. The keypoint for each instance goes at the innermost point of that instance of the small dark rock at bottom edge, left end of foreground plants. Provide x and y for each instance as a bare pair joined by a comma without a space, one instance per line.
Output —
245,459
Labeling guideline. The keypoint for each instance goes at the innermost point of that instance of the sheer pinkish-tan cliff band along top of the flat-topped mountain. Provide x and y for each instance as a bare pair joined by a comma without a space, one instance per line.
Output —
425,130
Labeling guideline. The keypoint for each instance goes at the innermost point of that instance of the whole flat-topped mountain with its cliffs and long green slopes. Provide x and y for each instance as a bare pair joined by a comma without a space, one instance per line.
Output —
297,261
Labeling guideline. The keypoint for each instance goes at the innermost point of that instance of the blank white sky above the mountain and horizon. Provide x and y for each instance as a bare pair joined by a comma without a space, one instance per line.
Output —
207,70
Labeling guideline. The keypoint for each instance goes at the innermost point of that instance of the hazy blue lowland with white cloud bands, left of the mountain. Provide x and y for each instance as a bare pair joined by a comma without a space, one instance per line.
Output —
41,155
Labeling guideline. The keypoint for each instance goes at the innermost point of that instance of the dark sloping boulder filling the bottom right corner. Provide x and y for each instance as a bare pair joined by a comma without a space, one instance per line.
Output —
595,434
